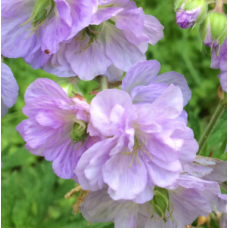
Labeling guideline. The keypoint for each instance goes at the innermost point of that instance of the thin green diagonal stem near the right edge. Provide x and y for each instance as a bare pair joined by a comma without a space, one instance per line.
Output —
210,127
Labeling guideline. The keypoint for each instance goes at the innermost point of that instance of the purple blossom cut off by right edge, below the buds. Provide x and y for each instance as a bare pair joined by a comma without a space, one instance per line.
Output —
220,62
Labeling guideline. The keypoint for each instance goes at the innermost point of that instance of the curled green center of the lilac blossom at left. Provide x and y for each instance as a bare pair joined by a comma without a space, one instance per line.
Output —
79,132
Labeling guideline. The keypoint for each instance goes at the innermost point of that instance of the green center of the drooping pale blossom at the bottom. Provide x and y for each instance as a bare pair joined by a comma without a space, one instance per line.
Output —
161,204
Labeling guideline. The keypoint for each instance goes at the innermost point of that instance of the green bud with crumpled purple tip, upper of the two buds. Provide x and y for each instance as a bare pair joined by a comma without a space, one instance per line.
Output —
190,12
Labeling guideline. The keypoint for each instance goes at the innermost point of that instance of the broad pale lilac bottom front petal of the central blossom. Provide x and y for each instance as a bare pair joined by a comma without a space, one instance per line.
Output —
125,180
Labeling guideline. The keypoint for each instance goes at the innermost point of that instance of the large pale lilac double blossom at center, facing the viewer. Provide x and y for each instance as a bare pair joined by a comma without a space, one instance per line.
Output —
146,143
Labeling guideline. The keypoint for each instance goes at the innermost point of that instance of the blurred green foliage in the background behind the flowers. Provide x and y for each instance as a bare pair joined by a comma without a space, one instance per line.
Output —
32,196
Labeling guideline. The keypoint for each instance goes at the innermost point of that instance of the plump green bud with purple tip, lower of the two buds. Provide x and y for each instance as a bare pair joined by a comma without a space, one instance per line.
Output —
213,29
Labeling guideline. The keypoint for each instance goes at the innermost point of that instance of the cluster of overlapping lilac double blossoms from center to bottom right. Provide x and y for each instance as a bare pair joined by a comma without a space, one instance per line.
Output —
130,150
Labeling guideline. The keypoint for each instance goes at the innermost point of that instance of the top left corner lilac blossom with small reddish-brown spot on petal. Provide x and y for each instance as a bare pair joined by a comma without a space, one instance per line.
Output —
35,28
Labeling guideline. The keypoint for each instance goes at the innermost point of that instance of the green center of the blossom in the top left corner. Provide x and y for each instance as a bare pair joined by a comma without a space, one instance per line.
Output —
41,11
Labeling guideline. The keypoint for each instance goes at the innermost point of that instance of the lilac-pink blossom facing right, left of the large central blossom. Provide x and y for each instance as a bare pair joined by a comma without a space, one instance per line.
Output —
56,127
